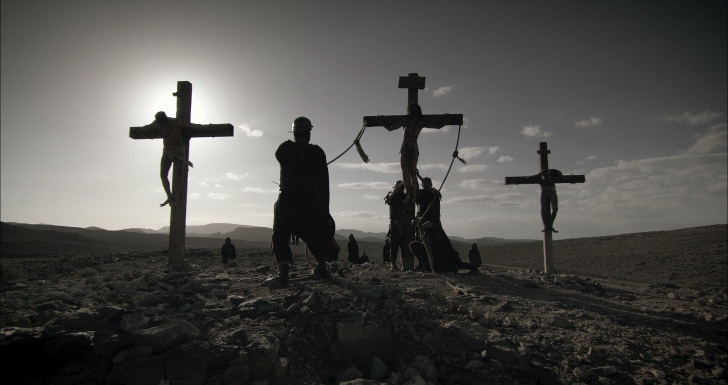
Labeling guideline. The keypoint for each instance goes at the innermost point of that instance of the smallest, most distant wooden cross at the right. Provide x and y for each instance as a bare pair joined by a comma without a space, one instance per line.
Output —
544,152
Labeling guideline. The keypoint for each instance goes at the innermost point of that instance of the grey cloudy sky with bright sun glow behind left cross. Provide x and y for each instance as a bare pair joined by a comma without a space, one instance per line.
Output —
631,94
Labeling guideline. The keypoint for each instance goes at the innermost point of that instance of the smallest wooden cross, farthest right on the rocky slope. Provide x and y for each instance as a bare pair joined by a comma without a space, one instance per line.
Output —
547,215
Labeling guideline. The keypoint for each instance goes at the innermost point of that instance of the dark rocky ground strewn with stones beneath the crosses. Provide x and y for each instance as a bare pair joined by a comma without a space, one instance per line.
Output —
649,308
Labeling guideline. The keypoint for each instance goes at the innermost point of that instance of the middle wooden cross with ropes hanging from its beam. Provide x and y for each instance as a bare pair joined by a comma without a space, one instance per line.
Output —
413,83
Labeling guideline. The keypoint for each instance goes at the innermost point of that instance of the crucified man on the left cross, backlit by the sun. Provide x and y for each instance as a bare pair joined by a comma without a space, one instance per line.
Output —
174,148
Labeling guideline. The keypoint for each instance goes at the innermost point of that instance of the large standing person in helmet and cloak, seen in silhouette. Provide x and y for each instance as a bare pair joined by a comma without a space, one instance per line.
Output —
302,207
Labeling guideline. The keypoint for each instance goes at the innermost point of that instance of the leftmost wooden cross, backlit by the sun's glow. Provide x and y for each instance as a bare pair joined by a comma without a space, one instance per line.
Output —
178,214
